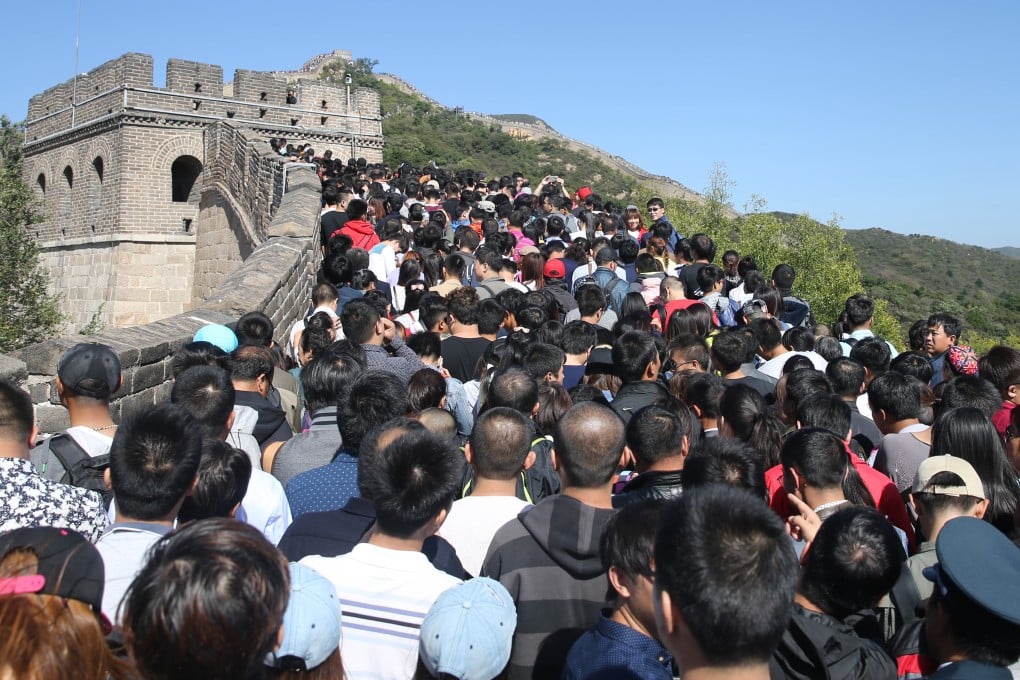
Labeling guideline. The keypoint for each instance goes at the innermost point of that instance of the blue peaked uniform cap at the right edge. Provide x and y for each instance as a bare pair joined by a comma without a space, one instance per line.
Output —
980,562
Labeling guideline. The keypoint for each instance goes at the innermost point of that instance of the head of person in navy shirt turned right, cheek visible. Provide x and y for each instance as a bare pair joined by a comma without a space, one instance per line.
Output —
626,550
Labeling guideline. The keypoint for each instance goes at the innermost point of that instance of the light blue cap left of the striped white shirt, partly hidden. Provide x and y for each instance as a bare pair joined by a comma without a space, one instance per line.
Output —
312,623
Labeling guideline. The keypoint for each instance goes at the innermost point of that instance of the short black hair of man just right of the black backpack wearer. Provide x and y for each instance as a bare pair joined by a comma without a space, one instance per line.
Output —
154,461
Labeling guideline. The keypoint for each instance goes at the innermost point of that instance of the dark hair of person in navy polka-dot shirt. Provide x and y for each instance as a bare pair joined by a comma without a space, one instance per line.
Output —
375,398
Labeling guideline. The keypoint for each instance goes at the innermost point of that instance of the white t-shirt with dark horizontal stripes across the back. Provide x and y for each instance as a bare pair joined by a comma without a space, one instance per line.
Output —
384,596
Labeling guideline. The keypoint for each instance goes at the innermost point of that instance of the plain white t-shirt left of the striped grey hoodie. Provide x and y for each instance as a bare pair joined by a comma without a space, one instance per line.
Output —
474,521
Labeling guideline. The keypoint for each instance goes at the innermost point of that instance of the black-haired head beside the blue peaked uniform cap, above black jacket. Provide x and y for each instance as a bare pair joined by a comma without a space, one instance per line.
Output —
854,560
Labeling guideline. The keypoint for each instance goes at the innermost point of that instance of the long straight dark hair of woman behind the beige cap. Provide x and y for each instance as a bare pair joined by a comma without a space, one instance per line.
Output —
967,434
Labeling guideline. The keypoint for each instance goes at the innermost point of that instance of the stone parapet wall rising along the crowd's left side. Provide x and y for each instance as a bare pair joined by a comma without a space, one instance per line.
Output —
276,279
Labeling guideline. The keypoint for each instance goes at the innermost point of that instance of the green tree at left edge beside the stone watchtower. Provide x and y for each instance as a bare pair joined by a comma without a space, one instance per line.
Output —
28,313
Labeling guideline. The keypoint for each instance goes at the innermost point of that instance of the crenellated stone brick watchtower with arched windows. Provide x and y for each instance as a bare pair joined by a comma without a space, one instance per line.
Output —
152,196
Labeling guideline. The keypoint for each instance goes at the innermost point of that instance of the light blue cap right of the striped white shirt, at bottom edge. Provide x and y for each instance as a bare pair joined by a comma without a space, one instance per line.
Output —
469,631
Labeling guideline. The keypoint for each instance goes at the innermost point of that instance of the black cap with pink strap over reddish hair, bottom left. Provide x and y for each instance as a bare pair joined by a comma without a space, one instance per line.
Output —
67,566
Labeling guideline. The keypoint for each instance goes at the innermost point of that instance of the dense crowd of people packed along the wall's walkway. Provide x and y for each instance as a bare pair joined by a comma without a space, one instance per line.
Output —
522,433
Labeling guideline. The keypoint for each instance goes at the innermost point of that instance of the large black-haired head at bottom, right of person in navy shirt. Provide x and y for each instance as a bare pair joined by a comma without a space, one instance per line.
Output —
725,559
